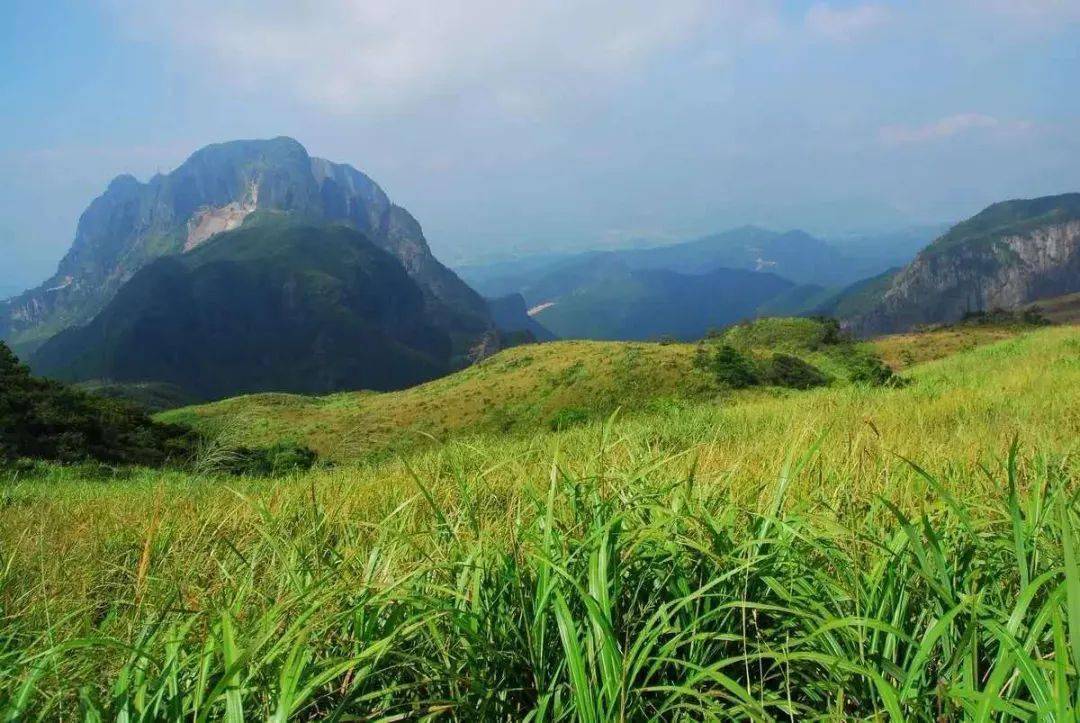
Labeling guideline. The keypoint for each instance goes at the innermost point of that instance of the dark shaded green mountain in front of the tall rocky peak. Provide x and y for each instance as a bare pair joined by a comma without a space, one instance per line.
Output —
277,305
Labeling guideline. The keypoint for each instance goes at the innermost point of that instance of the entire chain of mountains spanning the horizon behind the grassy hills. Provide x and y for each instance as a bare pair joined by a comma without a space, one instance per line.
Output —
255,267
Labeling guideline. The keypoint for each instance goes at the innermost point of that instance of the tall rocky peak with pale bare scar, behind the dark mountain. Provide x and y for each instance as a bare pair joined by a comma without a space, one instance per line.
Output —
220,189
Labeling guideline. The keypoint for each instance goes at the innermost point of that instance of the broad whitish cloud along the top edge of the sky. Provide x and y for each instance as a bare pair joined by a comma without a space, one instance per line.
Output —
386,56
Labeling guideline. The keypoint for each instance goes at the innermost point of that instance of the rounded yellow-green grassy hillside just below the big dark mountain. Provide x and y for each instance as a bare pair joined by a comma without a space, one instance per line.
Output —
519,390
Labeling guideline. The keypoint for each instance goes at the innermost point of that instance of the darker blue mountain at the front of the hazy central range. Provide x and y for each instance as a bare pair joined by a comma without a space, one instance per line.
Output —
620,303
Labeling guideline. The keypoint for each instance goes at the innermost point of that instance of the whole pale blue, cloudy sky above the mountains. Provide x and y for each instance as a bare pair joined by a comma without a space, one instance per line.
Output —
514,127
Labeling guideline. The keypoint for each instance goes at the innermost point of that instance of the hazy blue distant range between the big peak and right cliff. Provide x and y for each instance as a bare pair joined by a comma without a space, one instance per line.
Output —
685,289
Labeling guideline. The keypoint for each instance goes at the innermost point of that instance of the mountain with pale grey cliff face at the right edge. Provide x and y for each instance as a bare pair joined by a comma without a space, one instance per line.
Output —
1010,255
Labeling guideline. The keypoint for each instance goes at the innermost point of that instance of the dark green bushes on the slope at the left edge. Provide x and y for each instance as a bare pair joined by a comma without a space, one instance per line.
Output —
45,420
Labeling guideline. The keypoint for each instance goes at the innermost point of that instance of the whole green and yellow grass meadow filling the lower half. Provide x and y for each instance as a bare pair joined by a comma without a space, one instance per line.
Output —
848,553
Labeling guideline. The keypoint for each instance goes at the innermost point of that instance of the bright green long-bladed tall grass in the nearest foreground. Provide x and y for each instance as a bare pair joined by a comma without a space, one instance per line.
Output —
610,597
